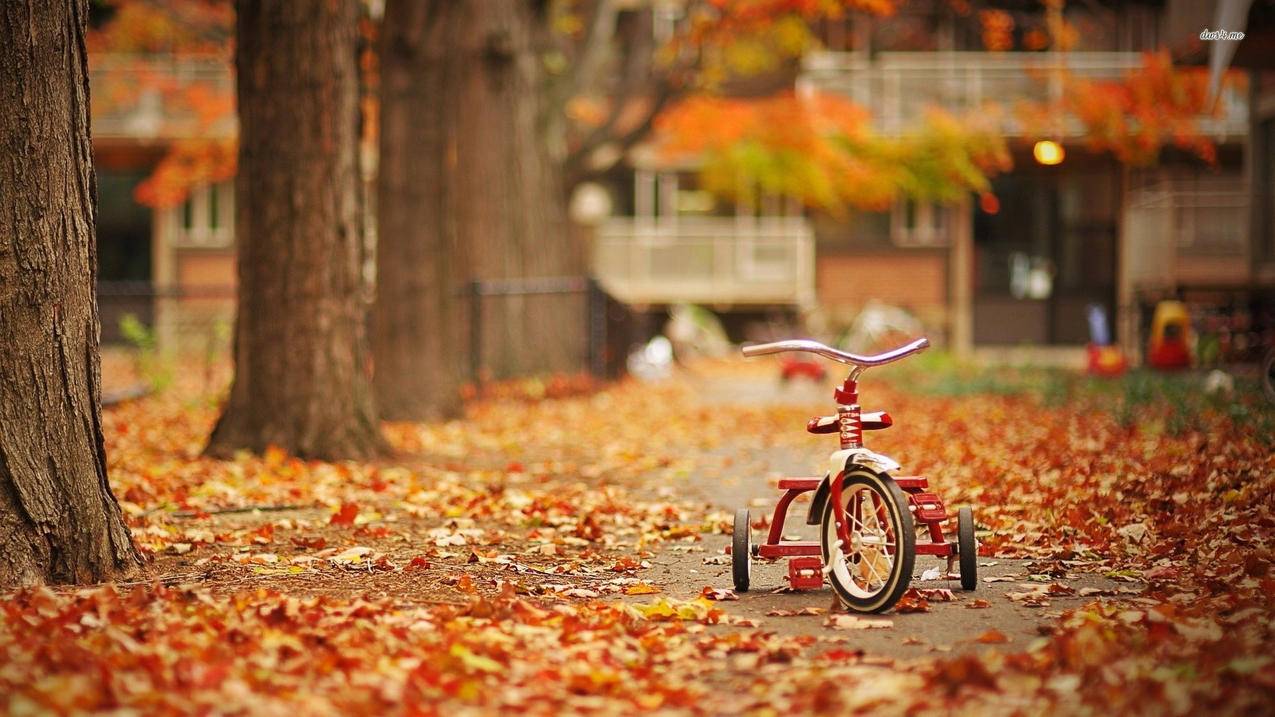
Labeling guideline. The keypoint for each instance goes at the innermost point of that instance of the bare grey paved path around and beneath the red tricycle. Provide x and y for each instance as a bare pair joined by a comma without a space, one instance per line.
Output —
953,627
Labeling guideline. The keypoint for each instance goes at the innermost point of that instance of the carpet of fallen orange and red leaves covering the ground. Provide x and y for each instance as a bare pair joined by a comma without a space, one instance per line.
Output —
492,565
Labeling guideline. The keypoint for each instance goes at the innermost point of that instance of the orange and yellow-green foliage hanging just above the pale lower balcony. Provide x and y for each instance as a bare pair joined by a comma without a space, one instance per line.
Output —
820,150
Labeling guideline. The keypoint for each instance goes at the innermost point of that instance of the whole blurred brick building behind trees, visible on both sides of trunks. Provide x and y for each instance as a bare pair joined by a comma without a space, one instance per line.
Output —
1063,238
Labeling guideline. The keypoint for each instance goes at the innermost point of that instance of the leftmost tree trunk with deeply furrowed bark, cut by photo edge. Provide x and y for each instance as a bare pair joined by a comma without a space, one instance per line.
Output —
59,521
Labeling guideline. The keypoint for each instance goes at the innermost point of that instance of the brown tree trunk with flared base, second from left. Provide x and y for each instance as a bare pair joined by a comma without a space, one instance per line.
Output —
302,369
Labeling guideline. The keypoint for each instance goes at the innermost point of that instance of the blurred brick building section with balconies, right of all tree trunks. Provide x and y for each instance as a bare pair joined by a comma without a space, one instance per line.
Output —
1086,232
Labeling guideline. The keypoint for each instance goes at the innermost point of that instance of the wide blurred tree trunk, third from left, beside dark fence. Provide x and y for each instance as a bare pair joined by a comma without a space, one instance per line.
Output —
466,192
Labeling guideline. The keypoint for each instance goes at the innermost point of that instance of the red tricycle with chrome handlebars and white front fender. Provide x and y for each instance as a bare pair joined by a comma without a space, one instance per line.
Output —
869,519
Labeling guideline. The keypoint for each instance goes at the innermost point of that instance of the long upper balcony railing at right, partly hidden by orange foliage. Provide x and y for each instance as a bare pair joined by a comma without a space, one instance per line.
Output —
901,86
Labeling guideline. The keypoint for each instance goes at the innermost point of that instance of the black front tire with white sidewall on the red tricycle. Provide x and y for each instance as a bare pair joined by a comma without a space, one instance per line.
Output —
901,576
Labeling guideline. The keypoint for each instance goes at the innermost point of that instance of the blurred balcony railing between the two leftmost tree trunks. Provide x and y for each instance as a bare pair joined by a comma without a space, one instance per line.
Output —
161,98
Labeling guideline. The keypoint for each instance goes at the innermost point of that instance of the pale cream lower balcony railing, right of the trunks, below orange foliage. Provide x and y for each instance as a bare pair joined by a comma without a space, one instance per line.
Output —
767,261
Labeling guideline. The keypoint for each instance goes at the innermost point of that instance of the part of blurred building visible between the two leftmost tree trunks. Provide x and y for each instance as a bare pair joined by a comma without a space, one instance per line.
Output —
171,267
